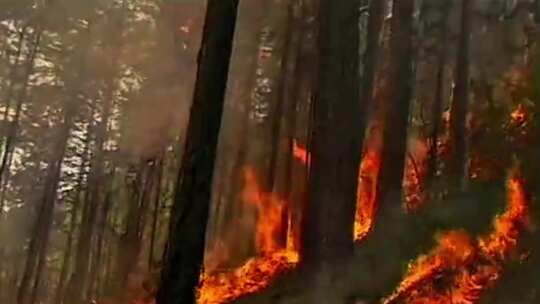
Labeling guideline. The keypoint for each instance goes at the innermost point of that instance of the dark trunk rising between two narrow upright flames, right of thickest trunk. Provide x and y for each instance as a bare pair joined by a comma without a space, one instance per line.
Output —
398,97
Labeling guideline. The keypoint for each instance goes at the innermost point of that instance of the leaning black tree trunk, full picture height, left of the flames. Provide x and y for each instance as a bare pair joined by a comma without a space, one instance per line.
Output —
185,249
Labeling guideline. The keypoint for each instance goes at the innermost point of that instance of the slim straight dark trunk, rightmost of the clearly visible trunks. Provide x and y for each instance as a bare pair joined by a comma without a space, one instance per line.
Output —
457,166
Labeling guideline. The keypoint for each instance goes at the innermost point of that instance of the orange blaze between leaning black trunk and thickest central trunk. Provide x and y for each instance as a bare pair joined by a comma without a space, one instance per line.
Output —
274,258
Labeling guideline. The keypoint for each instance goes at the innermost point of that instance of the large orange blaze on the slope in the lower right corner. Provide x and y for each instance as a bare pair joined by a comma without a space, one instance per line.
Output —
467,267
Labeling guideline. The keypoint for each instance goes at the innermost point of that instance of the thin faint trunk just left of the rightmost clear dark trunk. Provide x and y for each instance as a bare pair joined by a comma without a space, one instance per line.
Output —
438,101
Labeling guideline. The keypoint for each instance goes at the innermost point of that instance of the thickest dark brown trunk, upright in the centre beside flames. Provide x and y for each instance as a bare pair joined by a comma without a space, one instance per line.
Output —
335,138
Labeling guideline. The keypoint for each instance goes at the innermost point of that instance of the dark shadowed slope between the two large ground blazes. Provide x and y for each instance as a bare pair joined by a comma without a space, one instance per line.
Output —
381,260
